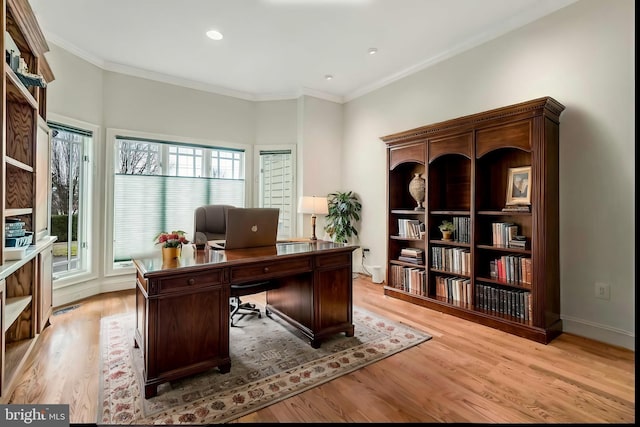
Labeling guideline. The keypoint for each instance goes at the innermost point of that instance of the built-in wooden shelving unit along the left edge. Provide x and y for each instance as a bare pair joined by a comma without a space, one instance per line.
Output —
25,279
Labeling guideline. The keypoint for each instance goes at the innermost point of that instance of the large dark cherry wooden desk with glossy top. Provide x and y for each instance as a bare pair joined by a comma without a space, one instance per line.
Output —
182,309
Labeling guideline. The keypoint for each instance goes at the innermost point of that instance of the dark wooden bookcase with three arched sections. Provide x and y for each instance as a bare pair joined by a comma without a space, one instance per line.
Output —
466,163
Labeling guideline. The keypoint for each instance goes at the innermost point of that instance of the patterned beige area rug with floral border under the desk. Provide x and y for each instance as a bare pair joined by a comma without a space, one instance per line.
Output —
270,362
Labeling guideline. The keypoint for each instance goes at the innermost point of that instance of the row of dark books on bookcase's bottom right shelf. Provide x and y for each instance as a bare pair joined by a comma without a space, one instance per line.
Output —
513,302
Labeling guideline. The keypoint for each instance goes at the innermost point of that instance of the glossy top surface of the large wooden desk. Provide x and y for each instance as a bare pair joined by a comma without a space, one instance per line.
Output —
208,257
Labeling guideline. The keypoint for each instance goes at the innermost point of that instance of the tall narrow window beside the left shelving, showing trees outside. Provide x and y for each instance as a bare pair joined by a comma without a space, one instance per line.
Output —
70,148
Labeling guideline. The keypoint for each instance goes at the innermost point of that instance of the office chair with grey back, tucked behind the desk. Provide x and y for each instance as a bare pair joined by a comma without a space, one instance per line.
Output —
210,223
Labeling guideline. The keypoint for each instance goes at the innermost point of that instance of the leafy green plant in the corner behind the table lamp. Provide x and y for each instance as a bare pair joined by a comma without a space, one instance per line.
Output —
344,211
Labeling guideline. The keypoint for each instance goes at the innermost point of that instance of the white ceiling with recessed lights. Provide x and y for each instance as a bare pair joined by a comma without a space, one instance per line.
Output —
279,49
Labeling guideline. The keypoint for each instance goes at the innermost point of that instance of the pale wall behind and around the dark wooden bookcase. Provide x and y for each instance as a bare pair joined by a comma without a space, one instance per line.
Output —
583,56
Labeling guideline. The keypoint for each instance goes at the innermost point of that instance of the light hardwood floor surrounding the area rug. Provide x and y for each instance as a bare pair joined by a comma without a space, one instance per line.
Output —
466,373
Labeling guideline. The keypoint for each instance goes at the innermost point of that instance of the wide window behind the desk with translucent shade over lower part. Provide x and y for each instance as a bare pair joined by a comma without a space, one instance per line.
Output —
158,184
